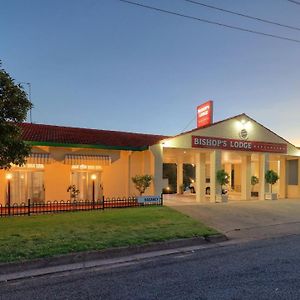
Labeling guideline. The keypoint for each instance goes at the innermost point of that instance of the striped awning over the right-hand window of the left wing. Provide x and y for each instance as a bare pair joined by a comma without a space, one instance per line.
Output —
79,159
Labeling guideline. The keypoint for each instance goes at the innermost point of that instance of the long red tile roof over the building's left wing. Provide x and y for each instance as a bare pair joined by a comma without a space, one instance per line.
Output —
50,134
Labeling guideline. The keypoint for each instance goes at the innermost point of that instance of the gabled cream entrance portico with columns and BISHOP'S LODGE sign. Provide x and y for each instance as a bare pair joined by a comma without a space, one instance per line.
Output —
240,146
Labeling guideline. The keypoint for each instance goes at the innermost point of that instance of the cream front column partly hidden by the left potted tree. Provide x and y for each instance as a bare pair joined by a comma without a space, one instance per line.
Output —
215,165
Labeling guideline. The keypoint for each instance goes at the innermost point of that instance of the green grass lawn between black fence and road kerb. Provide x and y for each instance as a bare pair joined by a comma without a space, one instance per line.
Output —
24,238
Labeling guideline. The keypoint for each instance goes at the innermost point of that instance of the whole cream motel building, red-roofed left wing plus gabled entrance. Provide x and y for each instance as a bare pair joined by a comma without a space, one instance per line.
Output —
64,156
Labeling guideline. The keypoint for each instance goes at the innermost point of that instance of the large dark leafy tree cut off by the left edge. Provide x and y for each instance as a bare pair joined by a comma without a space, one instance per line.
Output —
14,106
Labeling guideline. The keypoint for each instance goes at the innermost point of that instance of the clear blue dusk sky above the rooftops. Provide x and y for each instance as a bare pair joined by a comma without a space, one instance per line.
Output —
105,64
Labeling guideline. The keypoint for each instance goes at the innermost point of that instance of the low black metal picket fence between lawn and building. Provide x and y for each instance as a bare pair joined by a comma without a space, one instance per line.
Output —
30,207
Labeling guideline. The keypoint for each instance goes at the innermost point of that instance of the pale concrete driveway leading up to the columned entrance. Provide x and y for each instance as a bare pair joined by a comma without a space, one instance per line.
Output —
247,220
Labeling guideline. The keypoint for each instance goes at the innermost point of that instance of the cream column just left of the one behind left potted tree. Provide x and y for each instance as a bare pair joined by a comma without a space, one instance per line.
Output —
200,177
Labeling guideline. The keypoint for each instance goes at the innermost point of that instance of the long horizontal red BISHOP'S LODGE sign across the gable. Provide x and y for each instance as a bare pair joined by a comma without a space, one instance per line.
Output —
238,145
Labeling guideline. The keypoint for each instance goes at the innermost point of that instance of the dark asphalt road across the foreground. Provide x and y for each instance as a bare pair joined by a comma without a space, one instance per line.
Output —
265,269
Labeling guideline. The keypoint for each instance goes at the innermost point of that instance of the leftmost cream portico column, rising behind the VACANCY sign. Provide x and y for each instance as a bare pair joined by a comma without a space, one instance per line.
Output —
157,151
